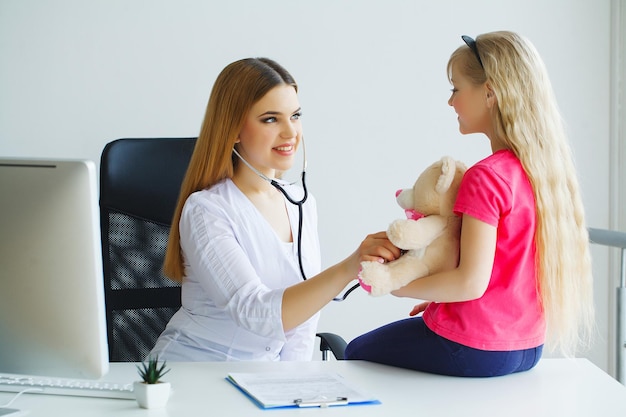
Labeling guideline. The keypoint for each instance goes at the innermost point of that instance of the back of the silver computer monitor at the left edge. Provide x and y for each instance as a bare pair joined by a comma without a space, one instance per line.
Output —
52,316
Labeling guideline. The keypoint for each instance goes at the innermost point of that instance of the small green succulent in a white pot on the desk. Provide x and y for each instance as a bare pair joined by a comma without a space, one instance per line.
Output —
151,392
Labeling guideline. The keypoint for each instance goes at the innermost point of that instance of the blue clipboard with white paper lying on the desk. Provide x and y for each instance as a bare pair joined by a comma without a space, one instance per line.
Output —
296,389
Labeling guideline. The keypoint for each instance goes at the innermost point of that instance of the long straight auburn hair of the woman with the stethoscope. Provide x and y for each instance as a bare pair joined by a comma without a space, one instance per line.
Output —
237,88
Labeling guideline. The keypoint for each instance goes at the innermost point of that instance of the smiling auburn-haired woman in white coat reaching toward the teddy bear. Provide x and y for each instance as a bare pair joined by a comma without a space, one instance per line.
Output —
232,237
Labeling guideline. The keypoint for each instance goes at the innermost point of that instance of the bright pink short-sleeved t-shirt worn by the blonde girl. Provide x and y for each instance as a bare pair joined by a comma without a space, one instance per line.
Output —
509,315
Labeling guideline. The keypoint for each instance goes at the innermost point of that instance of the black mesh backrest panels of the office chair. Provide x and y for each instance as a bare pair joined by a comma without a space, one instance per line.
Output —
136,250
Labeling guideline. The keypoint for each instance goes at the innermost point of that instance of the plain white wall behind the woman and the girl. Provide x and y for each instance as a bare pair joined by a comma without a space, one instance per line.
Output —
76,74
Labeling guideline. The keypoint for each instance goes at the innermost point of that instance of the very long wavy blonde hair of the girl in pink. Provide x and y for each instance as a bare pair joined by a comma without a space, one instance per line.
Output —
528,122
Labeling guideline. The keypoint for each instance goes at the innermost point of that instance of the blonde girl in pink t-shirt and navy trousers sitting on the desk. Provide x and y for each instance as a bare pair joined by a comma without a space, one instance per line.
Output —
524,275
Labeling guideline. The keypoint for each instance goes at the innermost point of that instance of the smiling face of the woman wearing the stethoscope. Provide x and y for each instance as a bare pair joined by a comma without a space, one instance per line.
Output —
272,131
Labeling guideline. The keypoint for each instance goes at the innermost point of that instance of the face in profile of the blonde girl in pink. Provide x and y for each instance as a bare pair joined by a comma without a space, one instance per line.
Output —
471,104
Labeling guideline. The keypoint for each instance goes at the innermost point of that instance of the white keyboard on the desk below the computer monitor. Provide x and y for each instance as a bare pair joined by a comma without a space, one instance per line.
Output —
64,386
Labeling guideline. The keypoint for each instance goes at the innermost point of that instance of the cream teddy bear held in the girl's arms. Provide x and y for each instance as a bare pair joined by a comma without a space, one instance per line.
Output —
430,235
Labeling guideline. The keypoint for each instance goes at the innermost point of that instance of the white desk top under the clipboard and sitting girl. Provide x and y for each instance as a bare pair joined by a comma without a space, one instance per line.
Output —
556,387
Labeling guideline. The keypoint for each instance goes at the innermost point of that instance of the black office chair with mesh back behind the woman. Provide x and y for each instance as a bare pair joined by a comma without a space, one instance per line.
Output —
139,185
